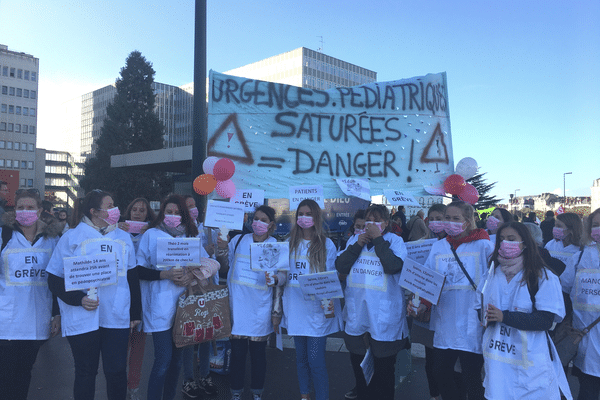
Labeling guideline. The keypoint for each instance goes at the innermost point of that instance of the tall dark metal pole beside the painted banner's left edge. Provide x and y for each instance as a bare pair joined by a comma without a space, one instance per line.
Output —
200,124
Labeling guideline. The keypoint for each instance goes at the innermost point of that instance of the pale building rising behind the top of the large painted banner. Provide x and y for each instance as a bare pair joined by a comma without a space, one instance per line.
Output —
306,68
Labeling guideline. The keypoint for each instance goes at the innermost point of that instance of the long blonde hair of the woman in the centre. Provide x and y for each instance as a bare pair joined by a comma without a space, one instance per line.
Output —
317,249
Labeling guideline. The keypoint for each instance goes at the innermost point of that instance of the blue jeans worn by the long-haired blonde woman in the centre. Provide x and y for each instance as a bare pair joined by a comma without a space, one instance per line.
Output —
310,361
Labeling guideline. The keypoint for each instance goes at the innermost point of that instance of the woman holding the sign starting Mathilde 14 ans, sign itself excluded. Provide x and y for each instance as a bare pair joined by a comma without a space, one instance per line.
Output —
97,324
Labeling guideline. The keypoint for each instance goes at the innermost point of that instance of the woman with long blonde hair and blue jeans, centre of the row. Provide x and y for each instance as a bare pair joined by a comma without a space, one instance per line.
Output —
307,320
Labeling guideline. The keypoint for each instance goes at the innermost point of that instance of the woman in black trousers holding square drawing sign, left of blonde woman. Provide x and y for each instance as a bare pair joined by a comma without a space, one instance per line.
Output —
252,305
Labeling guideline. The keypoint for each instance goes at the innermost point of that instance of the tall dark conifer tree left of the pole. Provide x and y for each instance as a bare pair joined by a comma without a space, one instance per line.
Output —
131,125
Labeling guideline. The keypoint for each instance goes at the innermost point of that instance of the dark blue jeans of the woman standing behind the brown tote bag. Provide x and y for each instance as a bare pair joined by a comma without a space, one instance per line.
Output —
165,371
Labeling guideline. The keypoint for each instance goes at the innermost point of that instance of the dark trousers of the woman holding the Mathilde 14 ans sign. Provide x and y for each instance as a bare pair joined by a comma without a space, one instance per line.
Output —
86,348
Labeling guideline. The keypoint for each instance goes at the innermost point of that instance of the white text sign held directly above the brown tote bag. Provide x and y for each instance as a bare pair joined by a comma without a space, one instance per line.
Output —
173,252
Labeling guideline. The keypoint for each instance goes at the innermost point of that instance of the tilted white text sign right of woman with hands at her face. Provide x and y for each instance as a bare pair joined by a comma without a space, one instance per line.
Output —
424,281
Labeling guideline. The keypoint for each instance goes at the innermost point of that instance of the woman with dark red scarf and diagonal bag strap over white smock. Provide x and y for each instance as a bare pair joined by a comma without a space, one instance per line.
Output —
457,328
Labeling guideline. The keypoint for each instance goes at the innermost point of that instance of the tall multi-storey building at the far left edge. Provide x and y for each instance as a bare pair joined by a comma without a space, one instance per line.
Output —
19,73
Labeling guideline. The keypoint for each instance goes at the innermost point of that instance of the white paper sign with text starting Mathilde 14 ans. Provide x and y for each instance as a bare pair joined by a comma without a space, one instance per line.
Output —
84,272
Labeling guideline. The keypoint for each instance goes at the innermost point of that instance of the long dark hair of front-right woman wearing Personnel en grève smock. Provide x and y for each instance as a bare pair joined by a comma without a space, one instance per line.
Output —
533,264
